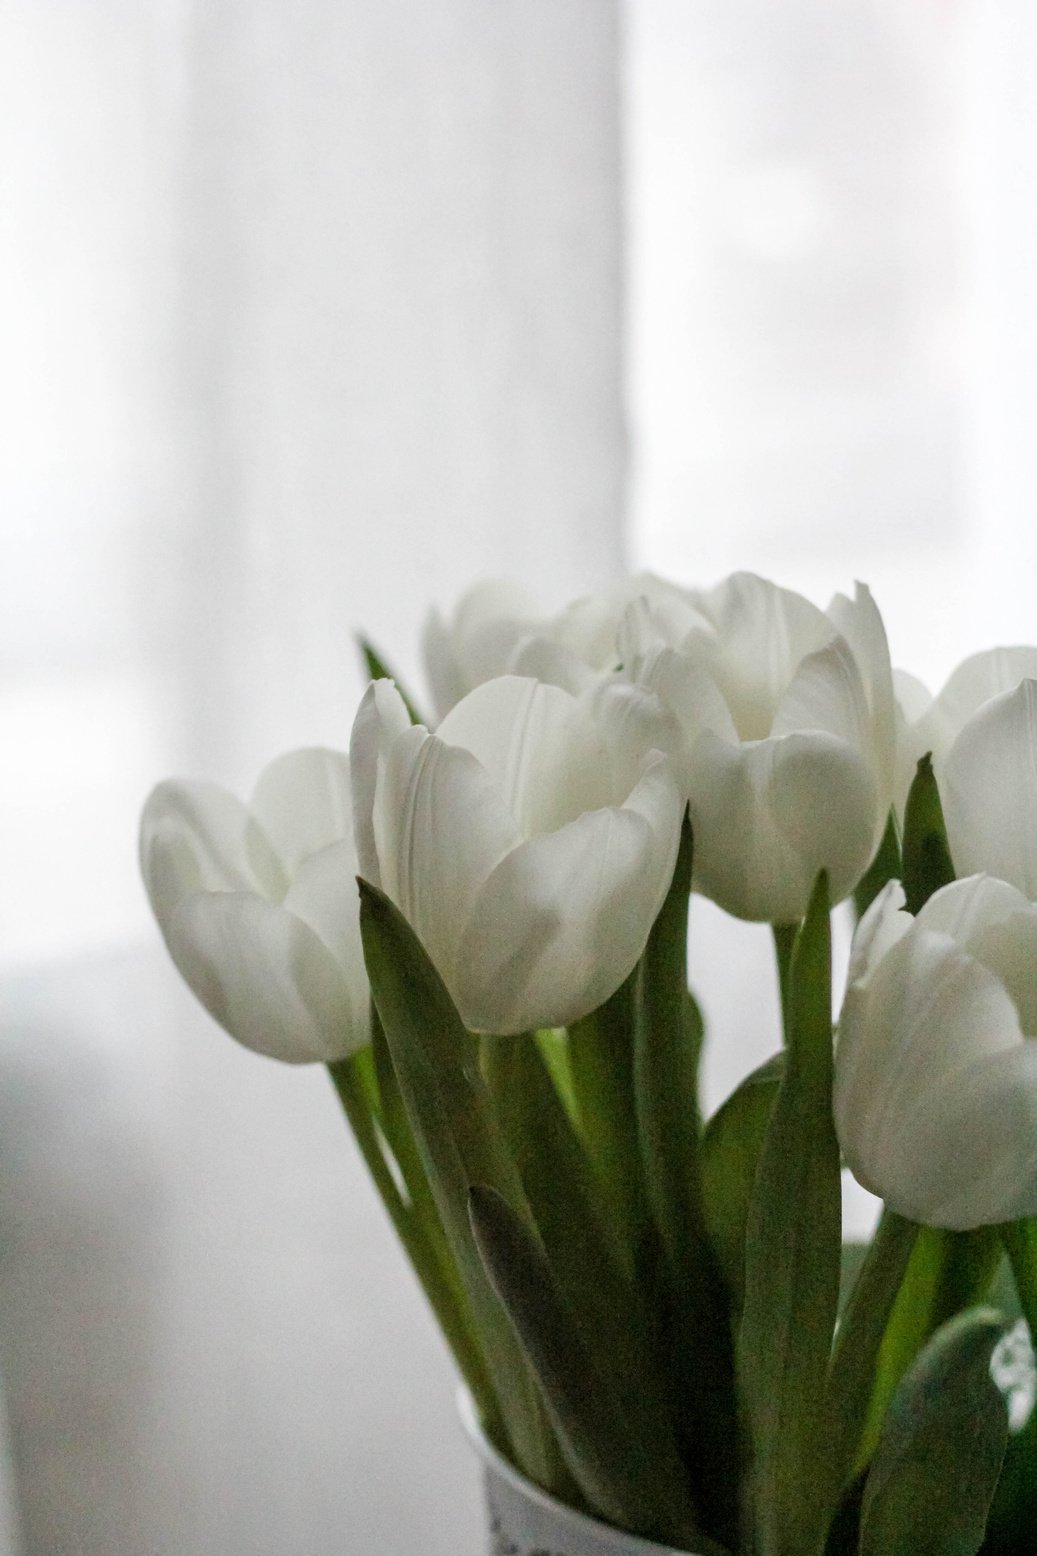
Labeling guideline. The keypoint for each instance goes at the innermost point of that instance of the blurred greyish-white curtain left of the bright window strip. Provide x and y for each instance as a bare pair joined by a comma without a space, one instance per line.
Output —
311,315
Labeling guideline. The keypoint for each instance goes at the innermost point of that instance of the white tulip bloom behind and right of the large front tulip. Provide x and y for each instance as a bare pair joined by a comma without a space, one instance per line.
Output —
789,738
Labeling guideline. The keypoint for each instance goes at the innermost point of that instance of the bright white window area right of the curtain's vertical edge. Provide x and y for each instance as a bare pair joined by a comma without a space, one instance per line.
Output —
832,331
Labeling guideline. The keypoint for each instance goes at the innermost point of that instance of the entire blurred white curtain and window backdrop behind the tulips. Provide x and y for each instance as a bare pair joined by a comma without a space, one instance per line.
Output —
309,315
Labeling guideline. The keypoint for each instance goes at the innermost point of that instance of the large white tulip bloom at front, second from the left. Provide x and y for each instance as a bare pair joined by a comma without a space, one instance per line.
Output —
529,843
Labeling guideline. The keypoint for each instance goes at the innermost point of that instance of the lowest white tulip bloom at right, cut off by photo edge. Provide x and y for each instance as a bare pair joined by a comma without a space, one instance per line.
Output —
937,1064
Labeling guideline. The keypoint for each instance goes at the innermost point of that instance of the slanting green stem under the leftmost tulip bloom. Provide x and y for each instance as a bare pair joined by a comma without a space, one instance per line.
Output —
440,1291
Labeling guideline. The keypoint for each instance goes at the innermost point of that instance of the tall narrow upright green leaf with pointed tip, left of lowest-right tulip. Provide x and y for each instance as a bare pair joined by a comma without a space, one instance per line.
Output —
793,1244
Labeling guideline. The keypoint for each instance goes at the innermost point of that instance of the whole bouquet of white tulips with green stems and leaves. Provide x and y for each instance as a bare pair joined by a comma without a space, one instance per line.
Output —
480,923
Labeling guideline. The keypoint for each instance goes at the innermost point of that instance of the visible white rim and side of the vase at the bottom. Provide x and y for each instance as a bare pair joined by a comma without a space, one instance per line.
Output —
524,1521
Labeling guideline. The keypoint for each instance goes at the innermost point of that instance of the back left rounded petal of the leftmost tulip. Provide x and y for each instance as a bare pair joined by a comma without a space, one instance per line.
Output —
199,838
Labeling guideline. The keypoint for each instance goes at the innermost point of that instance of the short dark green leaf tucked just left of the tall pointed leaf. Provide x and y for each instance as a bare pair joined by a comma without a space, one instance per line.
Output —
729,1157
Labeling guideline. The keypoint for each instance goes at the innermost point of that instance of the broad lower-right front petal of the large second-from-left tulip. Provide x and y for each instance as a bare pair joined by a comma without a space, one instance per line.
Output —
564,919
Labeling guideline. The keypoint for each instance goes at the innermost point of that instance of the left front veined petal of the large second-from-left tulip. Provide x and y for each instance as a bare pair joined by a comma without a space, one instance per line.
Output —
440,829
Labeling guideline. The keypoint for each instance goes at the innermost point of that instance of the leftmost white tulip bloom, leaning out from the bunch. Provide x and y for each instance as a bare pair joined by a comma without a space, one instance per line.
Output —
259,905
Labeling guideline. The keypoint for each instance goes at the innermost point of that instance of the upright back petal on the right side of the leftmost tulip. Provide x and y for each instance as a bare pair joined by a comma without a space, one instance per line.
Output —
303,802
